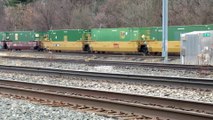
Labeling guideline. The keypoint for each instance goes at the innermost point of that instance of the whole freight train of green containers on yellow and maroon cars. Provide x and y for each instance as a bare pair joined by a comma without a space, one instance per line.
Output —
100,40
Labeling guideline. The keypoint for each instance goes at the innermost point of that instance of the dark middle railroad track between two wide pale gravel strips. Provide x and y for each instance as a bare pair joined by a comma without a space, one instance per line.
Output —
198,82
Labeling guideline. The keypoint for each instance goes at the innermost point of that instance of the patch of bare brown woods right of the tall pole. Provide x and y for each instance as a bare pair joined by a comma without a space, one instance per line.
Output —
187,12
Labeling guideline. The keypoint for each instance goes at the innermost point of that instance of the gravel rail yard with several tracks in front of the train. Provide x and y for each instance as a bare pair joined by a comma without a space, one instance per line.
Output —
49,85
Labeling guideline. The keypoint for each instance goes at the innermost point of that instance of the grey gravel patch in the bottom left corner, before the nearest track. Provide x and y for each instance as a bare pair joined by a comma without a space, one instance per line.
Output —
12,109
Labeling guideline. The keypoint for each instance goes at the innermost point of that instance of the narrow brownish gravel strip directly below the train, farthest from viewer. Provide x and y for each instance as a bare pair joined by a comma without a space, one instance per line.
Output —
53,55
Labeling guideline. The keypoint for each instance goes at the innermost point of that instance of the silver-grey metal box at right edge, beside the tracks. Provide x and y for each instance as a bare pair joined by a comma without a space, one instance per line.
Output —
197,48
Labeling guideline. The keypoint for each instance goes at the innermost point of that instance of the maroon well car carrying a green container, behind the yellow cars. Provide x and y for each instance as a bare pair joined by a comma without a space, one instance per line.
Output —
21,40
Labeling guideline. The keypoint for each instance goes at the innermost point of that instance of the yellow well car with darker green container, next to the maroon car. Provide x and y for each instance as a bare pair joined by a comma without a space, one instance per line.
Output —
65,40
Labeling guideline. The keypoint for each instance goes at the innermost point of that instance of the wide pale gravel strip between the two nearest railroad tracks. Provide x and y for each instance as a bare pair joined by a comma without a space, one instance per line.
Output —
168,91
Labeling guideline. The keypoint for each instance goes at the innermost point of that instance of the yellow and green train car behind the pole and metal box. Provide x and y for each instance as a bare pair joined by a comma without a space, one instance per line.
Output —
155,42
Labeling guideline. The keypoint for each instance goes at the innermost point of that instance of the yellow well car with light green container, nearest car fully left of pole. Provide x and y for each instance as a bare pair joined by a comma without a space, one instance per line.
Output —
125,40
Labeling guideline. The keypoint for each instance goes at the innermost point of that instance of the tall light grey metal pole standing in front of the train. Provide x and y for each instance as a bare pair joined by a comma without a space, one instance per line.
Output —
165,31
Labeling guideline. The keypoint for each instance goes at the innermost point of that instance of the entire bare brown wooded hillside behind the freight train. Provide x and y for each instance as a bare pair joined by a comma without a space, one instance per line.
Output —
64,14
